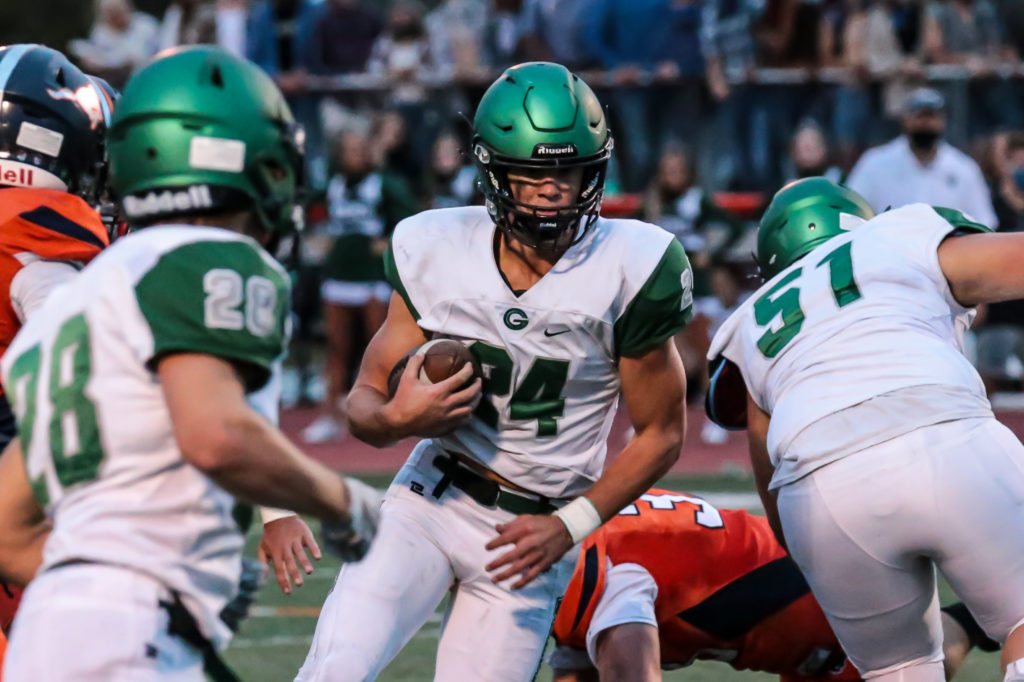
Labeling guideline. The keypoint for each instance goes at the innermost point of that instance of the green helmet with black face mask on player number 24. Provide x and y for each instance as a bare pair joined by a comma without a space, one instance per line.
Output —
541,116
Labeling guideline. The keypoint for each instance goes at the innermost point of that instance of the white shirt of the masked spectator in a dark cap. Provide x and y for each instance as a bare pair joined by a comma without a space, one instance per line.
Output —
890,176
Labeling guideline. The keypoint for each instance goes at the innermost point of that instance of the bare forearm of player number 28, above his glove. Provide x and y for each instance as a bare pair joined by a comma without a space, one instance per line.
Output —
257,463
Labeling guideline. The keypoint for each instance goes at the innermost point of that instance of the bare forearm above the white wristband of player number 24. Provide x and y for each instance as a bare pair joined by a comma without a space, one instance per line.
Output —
648,457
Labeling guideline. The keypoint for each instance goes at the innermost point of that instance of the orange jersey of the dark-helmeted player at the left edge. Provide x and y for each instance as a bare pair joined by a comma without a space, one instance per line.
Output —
47,224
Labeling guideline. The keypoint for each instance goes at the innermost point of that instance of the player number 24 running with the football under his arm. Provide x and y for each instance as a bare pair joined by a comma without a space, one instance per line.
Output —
566,312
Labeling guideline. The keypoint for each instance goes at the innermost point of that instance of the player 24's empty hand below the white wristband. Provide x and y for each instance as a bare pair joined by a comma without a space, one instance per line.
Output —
539,542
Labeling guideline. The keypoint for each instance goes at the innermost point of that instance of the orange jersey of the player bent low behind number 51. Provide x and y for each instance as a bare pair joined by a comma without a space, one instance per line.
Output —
727,590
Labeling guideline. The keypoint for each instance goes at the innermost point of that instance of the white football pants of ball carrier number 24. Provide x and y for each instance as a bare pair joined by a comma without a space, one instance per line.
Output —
425,547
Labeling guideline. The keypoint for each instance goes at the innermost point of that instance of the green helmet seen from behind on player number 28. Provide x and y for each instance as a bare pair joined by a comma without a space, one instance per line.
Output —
201,132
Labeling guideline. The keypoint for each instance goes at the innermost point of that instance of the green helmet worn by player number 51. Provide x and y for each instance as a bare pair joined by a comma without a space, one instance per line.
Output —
802,217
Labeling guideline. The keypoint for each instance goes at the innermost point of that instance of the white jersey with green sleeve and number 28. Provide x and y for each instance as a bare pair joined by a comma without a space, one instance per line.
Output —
98,438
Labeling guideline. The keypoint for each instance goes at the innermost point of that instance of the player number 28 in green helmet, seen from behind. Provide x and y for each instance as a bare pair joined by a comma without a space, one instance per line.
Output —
131,391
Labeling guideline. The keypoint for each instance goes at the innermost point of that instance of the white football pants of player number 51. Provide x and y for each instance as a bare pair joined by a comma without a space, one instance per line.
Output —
868,532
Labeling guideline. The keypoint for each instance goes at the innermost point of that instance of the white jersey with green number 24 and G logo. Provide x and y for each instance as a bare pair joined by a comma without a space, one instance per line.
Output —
550,356
